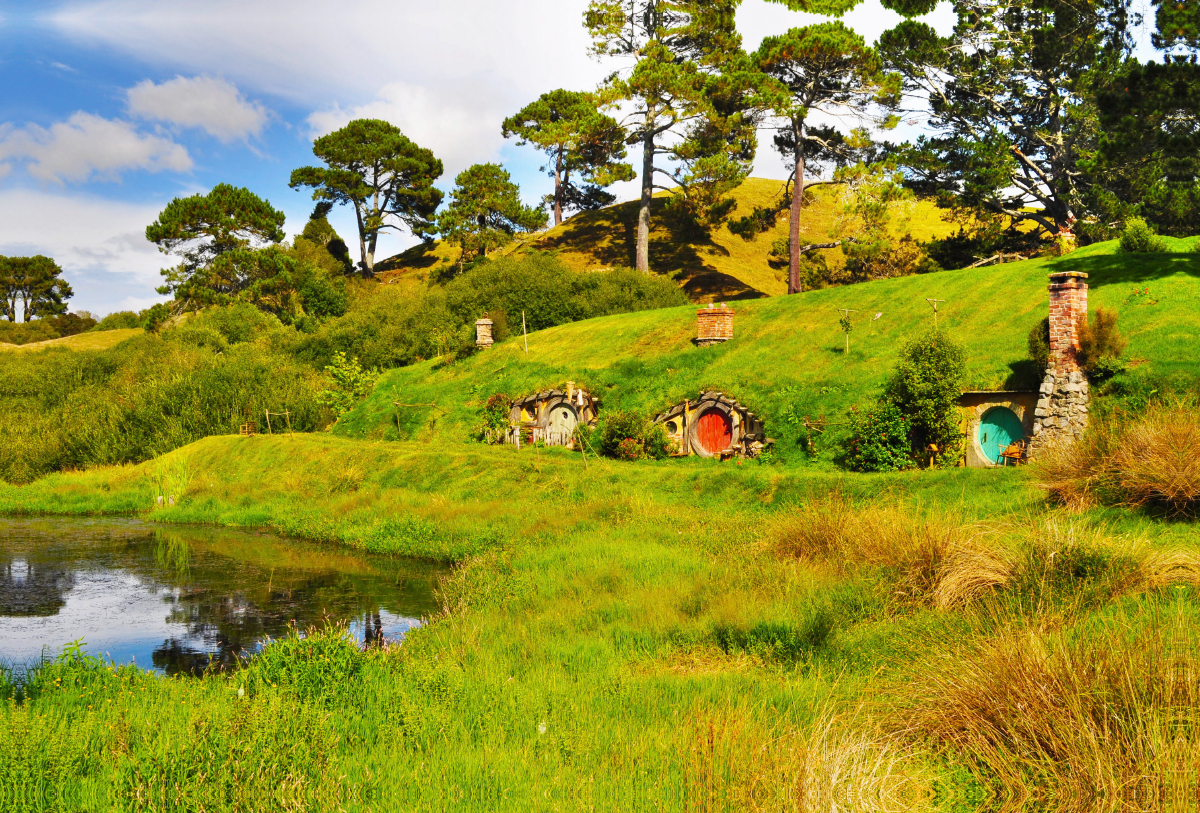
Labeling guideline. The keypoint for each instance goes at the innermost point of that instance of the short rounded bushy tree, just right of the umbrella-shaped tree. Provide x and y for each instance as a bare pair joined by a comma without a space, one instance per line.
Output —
485,212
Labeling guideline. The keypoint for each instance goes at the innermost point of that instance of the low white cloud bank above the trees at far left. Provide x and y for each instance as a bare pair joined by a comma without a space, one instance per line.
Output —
100,244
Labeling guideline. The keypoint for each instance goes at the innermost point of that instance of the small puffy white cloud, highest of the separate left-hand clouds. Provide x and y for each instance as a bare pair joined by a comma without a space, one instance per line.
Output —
206,103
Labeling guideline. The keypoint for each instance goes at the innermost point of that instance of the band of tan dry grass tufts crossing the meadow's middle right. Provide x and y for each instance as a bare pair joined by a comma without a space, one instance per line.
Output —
935,558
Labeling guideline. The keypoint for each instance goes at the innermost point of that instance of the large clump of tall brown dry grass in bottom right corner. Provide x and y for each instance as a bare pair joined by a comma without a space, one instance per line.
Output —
1103,719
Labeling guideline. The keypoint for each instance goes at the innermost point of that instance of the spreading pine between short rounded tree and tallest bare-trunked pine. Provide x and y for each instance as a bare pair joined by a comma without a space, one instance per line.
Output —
580,141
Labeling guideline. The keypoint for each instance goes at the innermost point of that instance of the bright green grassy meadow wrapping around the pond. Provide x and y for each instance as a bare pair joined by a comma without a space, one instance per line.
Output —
625,636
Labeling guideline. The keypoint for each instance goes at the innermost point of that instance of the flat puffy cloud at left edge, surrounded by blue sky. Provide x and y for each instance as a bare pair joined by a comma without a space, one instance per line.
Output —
87,147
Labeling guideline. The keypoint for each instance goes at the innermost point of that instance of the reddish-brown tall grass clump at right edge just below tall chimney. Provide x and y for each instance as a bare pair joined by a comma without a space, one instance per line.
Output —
1153,461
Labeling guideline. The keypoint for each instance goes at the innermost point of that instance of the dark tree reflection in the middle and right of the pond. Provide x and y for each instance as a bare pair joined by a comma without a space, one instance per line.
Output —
223,625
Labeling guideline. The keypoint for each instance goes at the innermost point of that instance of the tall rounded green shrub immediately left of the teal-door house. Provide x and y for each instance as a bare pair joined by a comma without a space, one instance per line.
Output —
926,388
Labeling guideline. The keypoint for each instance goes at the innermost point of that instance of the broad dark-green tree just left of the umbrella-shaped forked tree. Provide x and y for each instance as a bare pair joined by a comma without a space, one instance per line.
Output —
203,227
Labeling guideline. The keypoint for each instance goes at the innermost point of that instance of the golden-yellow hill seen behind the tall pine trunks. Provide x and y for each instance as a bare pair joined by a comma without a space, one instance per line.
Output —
722,267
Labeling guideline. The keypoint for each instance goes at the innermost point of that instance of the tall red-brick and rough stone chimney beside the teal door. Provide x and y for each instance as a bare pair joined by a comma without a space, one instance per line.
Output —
1061,415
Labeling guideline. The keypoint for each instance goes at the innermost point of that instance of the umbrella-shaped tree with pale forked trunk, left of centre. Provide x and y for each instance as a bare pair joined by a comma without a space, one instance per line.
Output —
388,179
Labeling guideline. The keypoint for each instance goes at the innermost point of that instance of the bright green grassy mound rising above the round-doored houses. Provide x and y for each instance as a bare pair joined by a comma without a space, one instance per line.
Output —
788,358
